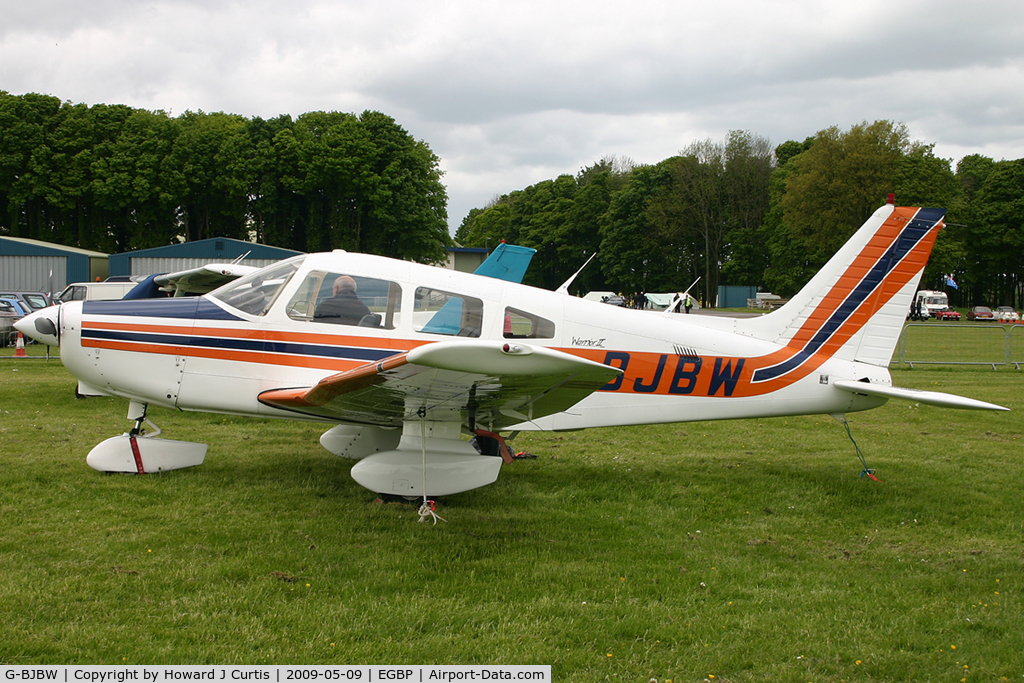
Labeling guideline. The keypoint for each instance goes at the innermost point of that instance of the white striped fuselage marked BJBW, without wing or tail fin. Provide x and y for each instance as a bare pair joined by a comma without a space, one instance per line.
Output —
216,354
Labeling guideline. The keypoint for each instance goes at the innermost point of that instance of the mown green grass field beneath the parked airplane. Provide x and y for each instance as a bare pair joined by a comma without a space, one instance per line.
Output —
744,551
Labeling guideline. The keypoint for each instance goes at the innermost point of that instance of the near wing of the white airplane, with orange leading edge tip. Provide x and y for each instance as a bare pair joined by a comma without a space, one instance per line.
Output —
497,383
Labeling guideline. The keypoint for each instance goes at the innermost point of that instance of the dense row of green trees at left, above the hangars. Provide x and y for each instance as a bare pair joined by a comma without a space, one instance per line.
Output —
116,179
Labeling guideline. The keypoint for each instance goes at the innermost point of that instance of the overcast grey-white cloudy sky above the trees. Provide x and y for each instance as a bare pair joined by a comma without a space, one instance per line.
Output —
509,93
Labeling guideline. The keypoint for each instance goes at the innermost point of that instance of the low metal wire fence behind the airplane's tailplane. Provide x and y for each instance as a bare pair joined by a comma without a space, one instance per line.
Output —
952,345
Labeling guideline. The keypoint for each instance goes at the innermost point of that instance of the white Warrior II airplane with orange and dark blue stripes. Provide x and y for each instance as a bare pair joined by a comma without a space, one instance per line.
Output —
405,359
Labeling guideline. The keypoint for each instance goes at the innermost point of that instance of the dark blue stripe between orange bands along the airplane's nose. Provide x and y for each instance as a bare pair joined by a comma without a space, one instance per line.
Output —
264,347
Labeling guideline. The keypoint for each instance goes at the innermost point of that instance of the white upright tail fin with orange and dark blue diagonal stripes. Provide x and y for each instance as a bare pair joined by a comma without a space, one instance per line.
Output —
856,307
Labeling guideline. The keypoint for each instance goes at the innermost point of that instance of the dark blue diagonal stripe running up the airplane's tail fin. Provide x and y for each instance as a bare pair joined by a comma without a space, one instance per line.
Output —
909,238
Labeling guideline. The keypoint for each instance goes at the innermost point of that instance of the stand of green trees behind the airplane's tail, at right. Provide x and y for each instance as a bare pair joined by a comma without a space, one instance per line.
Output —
740,212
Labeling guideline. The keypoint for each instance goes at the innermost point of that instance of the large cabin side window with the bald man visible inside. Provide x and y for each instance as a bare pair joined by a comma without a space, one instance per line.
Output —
338,298
